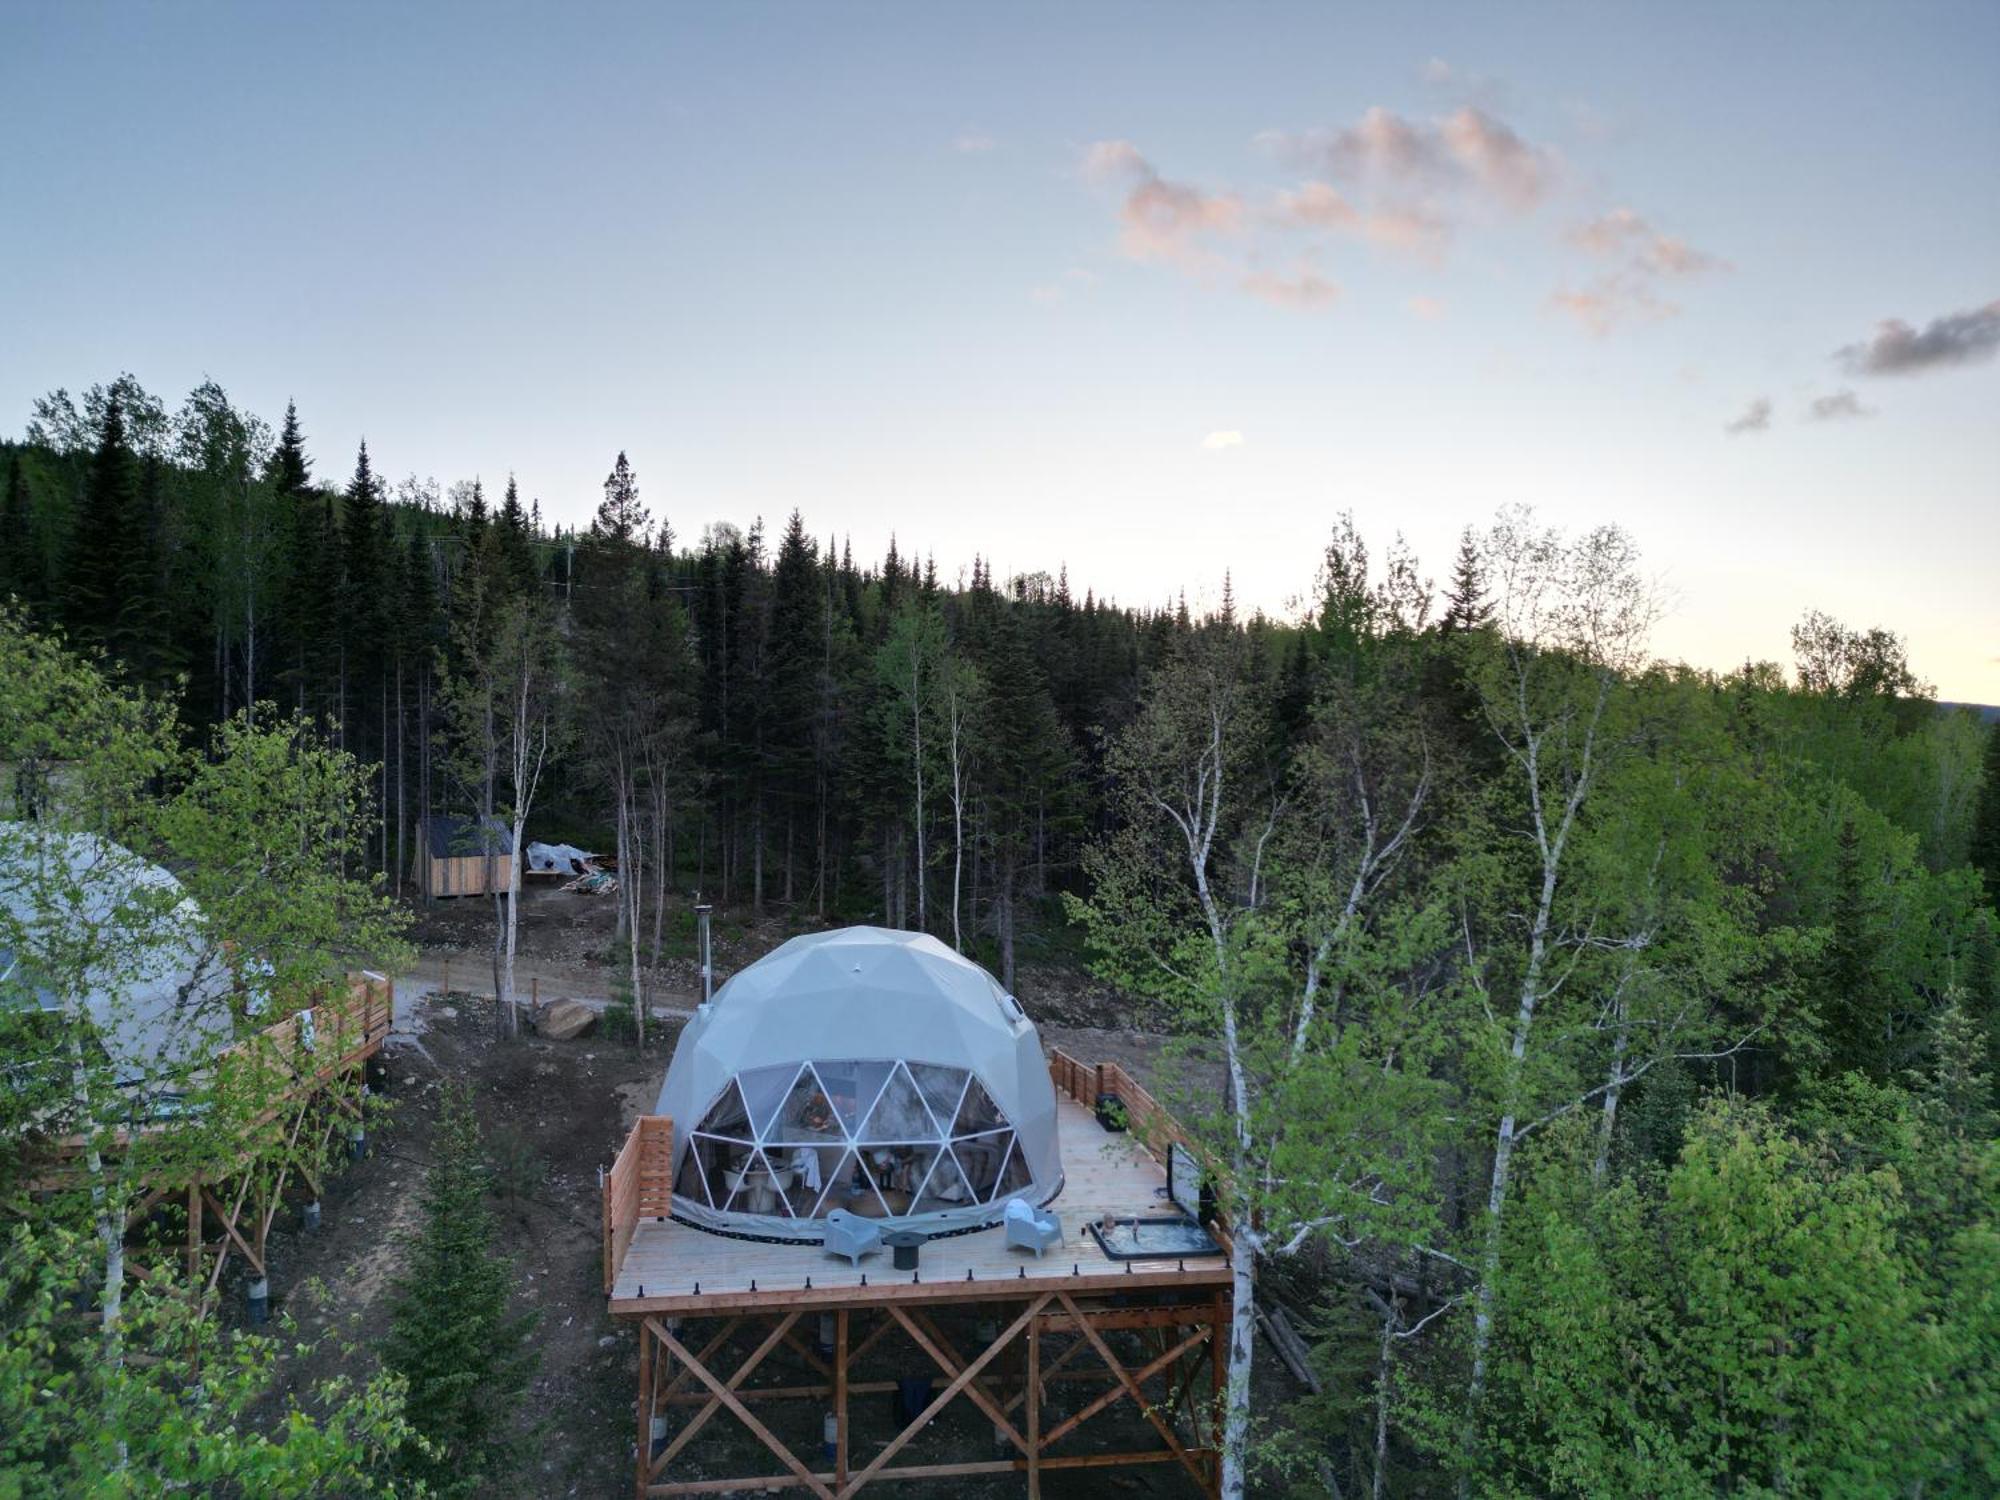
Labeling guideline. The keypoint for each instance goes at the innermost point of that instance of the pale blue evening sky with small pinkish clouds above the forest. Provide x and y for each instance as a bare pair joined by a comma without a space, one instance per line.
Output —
863,261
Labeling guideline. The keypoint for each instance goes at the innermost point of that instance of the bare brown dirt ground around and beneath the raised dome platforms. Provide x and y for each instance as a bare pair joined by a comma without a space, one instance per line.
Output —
553,1113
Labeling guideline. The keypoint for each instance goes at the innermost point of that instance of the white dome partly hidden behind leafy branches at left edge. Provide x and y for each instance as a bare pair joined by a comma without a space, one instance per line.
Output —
89,923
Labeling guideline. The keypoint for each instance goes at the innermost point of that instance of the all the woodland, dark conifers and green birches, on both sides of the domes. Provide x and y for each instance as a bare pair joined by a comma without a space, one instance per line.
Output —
1595,1055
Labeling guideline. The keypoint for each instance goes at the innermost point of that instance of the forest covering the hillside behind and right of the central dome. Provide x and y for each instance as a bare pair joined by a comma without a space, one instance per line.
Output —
1597,1053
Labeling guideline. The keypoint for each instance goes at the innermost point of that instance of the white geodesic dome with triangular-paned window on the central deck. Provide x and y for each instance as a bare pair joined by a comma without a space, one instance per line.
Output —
869,1071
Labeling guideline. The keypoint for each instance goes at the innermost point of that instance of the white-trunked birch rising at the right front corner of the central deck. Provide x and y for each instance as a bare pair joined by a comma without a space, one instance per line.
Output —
1207,899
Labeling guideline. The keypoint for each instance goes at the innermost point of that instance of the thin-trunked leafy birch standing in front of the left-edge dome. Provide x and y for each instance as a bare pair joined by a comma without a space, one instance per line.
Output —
137,979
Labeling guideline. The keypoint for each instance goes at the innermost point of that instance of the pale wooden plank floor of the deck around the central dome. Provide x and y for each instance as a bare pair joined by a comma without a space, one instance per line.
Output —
1103,1173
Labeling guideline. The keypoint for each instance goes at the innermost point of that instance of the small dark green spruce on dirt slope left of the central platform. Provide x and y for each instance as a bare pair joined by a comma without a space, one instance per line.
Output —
453,1337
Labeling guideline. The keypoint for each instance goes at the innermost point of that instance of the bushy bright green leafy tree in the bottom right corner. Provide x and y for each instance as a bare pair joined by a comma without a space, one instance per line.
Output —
1745,1323
